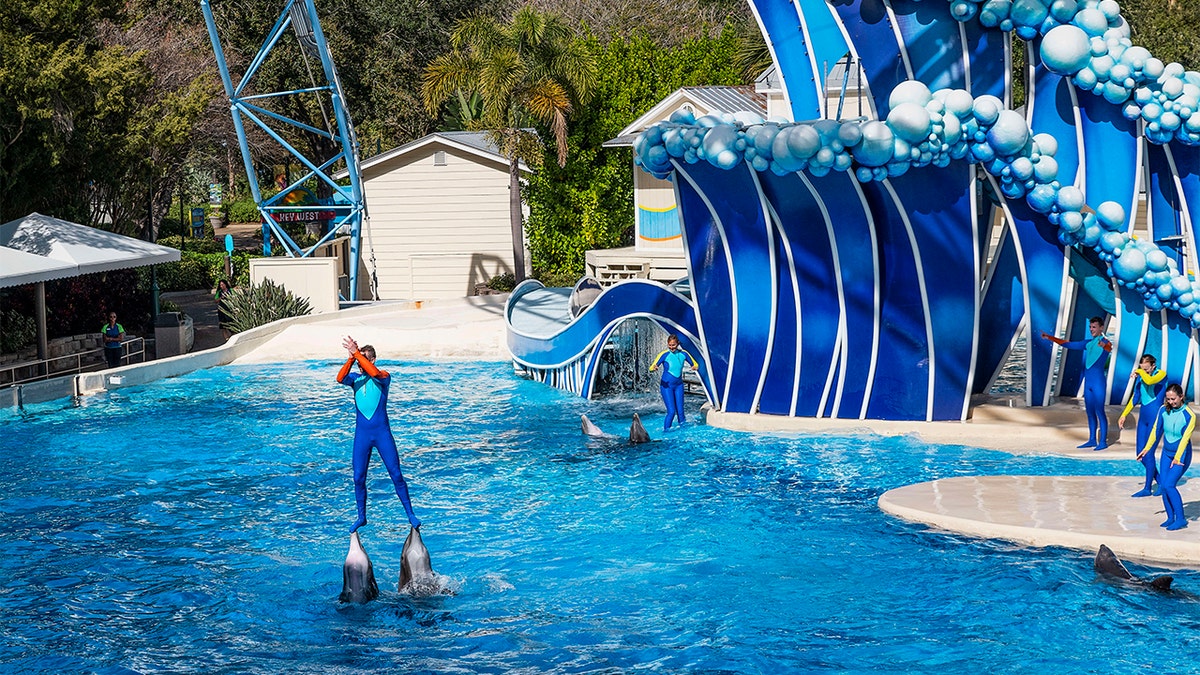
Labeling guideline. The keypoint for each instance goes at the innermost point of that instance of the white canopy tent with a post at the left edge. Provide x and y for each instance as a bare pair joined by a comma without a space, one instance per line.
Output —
37,249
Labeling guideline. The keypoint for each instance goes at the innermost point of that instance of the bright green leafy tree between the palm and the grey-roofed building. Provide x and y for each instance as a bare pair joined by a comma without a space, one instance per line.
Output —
589,204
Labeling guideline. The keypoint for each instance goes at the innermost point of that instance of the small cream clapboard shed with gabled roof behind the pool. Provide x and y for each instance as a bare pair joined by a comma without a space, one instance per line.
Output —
439,217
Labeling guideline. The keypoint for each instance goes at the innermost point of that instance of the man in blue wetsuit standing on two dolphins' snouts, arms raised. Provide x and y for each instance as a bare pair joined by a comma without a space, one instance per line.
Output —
373,429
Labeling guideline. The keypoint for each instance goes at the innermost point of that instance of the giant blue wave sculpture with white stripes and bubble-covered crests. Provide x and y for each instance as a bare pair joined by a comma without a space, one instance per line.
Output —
837,267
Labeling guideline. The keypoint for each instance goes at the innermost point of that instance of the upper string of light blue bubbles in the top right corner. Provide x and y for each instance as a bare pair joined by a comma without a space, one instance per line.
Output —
1089,43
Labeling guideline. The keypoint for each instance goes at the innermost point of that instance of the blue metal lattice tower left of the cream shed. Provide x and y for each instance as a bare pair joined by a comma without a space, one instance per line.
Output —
347,202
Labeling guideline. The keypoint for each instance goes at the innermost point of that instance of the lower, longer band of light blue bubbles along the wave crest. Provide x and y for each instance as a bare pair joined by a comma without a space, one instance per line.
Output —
923,129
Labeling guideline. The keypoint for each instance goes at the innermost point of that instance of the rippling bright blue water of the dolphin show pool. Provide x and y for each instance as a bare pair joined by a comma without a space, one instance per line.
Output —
200,524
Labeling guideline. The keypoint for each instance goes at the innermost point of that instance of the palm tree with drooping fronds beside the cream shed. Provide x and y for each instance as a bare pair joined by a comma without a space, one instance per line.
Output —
531,70
